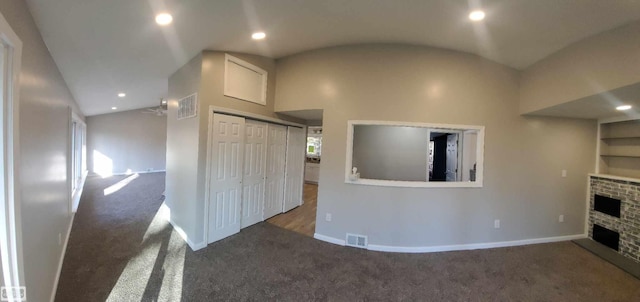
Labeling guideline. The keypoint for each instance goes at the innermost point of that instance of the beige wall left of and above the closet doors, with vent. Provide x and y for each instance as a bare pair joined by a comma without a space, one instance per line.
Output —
187,139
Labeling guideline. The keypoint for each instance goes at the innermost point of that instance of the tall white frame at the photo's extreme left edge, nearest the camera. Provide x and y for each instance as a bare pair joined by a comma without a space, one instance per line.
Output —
10,222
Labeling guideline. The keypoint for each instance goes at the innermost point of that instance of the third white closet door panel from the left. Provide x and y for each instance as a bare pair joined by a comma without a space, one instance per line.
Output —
276,152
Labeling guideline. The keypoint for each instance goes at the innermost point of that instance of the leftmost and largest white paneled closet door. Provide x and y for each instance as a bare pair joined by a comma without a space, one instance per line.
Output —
226,176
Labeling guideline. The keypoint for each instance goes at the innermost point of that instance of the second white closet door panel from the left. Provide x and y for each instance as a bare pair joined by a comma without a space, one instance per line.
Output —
255,154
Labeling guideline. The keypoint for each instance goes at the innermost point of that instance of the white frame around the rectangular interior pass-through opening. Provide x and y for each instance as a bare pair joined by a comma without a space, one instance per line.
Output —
478,183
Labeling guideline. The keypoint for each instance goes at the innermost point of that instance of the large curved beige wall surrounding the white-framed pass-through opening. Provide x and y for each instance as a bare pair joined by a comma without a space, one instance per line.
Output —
524,156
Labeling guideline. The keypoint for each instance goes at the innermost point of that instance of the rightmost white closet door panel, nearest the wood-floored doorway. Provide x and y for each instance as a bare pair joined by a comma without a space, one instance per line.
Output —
296,143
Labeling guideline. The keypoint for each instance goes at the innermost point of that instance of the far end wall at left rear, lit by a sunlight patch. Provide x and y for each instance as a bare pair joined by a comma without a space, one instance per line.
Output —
132,140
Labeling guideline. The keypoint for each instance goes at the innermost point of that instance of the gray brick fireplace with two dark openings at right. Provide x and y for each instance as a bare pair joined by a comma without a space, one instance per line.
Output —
608,194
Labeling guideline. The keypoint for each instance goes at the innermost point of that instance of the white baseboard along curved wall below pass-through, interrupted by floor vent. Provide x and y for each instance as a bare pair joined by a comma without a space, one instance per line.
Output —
458,247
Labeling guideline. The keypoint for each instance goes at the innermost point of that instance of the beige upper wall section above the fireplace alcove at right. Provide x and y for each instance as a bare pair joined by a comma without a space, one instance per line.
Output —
594,65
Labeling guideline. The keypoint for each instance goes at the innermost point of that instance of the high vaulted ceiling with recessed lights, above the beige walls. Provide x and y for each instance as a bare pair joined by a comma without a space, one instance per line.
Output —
105,47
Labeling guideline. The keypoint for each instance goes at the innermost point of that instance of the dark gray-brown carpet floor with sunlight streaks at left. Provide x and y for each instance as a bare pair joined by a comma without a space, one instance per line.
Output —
118,252
